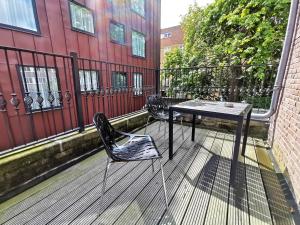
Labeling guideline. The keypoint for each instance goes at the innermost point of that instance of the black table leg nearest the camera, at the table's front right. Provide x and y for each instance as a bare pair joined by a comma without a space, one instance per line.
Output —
236,150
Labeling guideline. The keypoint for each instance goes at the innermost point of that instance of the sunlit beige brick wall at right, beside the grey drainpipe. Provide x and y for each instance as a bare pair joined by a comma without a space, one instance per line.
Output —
284,132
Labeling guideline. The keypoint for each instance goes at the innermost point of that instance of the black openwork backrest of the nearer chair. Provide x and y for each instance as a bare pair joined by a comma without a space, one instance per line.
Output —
107,132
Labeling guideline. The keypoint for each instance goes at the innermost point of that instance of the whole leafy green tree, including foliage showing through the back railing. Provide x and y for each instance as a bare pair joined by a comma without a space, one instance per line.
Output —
230,35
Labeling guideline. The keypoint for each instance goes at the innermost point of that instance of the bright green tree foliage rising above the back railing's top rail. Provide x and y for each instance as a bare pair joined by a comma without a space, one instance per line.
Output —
238,32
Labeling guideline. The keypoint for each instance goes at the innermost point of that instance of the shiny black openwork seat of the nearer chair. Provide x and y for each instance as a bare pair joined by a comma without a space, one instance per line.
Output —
139,148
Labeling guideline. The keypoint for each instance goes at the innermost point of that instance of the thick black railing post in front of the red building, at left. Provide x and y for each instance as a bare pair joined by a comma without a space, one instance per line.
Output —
78,100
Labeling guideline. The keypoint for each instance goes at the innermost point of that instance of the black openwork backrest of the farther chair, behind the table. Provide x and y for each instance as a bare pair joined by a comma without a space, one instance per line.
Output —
155,104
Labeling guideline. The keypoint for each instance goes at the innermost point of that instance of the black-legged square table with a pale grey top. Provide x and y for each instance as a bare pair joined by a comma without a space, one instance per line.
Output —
222,110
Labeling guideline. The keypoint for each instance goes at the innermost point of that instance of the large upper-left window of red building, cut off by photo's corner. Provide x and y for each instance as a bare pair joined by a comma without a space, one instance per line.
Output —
19,14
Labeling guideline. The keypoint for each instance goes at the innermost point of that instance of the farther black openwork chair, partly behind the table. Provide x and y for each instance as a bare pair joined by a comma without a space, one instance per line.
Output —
158,109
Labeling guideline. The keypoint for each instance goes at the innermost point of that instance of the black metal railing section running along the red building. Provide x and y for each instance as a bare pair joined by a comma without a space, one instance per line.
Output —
44,95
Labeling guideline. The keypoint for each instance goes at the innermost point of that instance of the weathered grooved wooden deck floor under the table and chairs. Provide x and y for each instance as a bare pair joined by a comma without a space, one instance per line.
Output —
197,181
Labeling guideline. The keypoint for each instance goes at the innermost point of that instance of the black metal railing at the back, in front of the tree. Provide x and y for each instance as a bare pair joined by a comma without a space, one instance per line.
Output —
252,84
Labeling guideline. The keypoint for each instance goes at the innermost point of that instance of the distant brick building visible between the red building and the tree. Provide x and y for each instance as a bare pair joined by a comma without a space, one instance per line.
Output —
171,37
